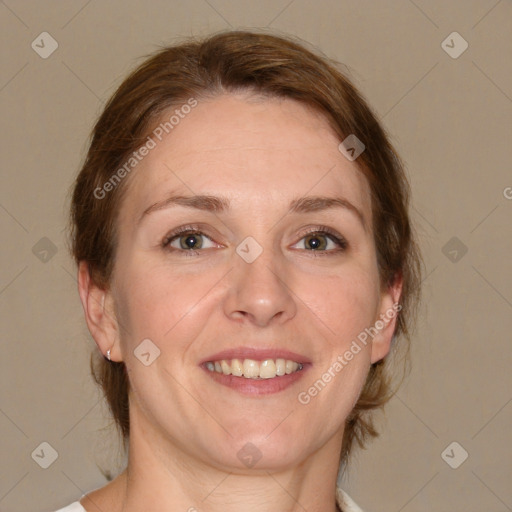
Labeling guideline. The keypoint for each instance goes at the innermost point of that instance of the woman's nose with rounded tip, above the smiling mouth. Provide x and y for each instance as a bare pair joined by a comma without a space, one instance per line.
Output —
258,292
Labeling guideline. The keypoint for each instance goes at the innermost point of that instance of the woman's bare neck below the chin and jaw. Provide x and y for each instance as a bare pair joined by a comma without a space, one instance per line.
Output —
161,476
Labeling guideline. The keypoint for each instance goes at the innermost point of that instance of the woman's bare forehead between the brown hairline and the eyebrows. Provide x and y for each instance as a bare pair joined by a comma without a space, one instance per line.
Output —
257,152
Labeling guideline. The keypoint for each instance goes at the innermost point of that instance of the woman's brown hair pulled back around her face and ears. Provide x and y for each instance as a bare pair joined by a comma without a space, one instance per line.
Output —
274,67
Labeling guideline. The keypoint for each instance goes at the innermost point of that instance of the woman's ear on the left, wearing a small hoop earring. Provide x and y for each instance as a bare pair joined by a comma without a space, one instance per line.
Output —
99,313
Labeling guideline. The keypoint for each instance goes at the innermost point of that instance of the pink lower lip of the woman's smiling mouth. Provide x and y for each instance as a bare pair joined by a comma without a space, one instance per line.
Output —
253,387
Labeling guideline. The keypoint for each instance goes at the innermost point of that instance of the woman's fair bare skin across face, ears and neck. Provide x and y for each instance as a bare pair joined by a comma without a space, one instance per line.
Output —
186,429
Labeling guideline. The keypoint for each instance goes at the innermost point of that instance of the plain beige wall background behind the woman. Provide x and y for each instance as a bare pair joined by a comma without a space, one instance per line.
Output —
451,119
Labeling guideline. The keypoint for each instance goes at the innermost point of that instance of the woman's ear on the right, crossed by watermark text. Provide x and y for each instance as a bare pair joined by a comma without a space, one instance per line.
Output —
385,323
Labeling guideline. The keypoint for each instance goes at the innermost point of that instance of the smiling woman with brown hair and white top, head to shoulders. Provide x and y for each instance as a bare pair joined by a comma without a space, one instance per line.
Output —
246,265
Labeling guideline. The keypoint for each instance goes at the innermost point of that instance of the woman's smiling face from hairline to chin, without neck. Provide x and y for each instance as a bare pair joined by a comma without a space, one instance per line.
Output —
257,275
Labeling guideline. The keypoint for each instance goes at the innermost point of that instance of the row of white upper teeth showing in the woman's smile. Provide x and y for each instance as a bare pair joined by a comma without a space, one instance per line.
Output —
252,369
